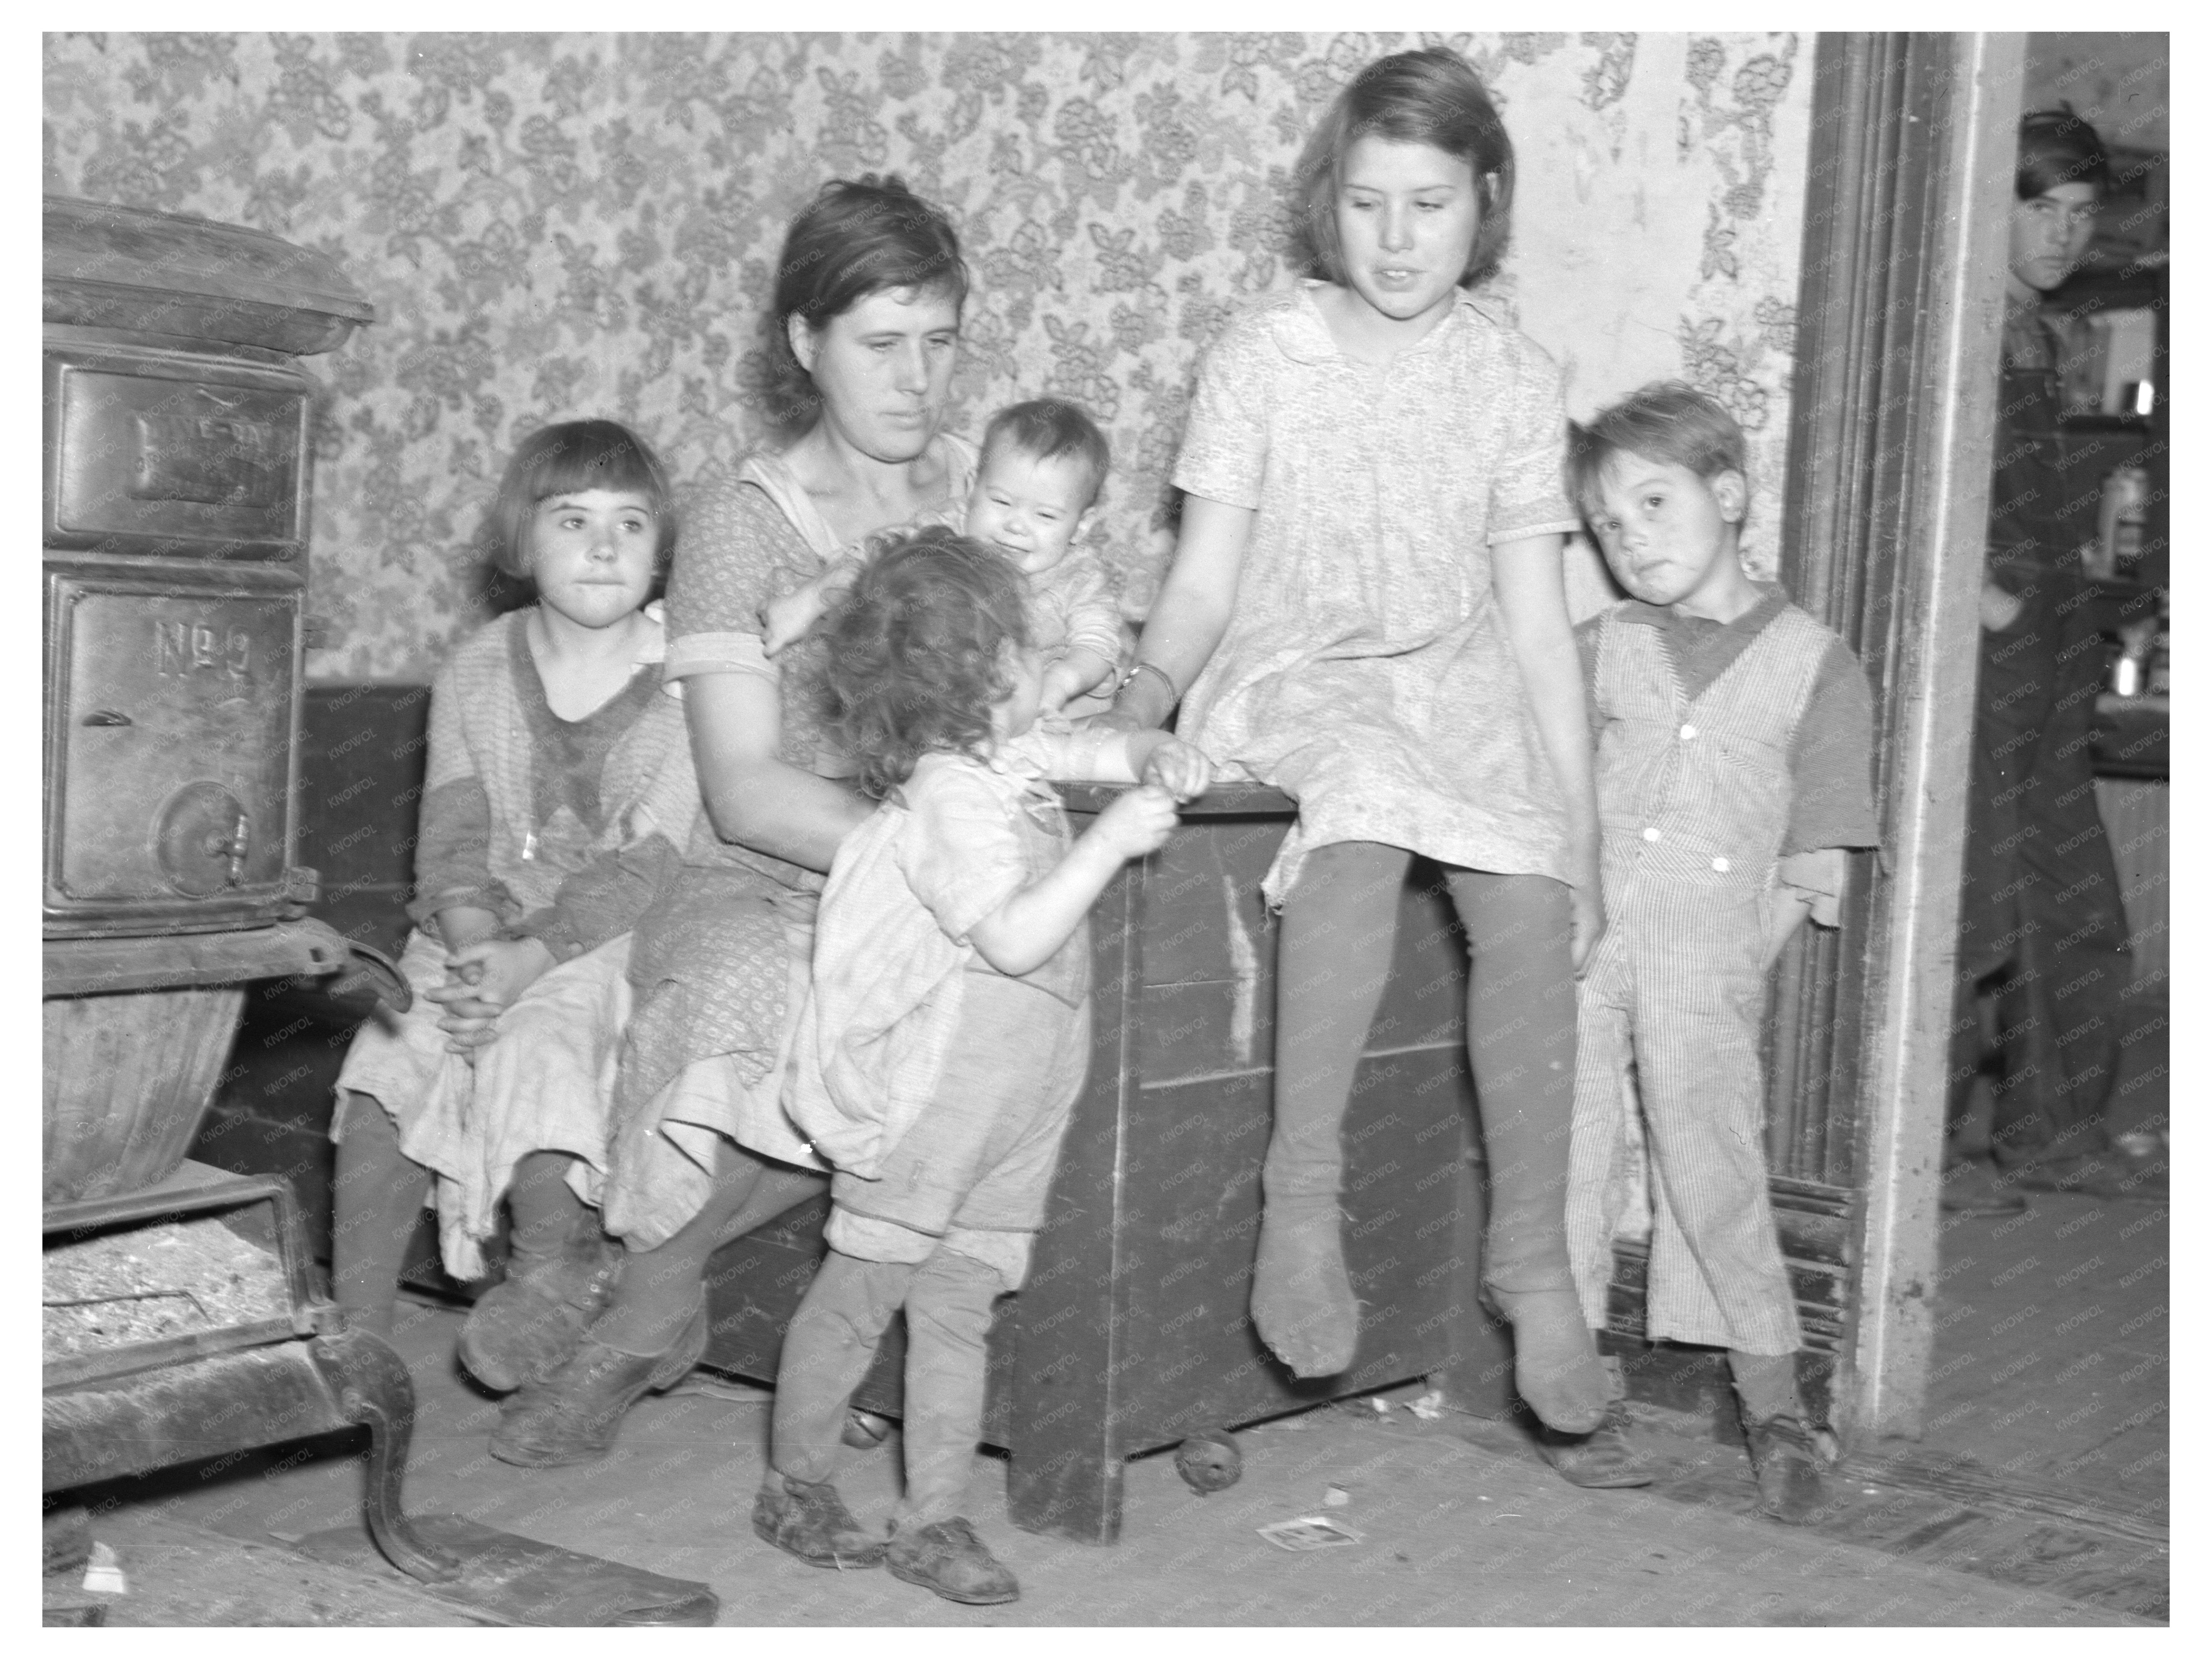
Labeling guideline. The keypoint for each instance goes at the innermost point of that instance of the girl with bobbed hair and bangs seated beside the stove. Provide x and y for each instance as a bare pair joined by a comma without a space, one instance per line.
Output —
559,800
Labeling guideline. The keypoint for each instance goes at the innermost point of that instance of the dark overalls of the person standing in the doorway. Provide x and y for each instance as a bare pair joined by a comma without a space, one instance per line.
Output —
2041,899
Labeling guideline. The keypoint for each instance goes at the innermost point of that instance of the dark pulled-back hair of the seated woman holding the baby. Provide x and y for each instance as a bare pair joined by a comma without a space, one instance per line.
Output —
855,240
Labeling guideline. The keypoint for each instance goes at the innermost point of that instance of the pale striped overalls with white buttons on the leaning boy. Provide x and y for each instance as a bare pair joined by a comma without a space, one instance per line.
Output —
1695,804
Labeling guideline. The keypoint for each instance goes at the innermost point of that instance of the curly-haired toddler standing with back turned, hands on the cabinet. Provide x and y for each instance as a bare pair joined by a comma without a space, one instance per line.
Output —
948,1032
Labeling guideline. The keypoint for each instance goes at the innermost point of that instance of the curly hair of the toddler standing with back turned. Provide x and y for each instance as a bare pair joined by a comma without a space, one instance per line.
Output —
915,654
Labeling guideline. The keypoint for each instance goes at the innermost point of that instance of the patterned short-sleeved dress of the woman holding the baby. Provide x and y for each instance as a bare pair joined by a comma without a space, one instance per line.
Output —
720,961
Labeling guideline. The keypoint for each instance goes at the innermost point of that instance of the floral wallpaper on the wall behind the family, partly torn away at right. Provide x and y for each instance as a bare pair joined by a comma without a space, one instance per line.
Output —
585,225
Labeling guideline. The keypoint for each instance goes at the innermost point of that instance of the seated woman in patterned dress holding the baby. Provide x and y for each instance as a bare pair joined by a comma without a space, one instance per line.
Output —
864,342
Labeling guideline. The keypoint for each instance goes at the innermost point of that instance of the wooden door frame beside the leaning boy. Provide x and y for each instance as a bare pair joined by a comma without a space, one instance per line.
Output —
1895,406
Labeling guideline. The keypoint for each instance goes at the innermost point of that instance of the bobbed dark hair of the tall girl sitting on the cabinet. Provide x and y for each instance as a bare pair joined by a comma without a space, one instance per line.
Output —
1410,98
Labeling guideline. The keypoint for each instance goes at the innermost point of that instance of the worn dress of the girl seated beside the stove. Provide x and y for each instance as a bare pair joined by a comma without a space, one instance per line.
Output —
563,831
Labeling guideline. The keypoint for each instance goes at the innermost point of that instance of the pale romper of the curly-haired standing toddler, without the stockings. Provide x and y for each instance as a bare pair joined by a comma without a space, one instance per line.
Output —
935,1085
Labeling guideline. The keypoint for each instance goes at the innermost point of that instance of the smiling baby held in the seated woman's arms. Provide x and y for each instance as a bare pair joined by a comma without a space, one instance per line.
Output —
1034,501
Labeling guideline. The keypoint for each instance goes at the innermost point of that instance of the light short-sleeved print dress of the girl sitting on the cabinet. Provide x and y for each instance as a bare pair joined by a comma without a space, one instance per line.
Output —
1366,669
